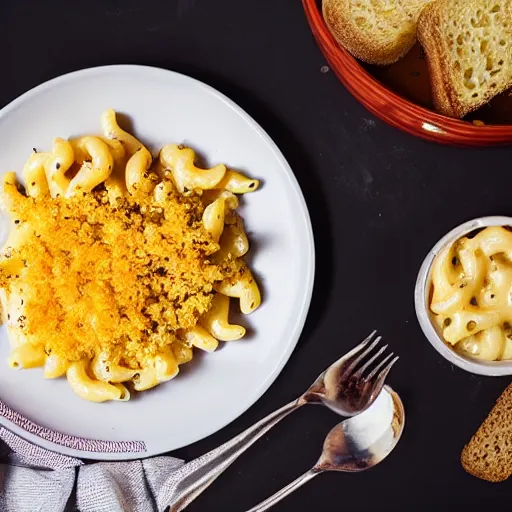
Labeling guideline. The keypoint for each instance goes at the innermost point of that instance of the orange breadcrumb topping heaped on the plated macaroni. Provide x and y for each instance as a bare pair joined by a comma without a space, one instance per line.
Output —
125,280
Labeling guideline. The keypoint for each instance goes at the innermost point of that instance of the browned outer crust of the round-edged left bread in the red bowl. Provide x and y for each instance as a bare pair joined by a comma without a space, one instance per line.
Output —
369,45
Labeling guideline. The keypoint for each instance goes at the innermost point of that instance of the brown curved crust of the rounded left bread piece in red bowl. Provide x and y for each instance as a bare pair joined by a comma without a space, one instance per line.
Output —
336,14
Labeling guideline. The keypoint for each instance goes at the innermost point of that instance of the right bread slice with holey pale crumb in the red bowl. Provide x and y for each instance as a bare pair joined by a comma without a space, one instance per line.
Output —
468,44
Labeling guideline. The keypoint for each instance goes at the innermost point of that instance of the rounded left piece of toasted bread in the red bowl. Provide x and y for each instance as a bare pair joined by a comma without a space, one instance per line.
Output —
375,31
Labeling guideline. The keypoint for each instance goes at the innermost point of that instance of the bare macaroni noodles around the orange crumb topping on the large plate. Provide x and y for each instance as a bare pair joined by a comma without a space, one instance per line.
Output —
124,166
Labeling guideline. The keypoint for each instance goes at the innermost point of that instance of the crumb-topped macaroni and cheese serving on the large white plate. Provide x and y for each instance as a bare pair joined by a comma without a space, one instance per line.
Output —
118,264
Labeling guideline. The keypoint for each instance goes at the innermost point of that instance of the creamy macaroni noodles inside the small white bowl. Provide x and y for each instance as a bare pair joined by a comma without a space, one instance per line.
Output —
472,294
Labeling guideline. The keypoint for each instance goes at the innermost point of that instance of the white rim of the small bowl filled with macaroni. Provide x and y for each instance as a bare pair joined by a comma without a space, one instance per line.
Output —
421,293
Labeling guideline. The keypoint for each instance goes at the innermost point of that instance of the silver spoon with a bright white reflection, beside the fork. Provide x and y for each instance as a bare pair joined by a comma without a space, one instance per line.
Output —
356,444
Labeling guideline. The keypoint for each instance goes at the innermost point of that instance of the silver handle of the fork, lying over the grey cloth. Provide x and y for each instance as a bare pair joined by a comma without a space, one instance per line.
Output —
194,477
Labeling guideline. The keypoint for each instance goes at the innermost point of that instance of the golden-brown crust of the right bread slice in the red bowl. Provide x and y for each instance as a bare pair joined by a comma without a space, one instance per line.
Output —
432,35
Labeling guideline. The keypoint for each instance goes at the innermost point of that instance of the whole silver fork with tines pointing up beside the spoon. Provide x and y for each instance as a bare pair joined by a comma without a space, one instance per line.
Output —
348,387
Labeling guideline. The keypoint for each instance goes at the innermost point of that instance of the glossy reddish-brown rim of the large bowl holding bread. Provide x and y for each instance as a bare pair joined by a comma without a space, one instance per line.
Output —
403,114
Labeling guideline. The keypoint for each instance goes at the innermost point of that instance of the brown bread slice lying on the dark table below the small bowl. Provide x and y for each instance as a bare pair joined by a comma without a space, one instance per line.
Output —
489,453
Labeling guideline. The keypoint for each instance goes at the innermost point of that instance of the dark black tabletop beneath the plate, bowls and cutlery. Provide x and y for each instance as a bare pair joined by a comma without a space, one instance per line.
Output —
378,199
